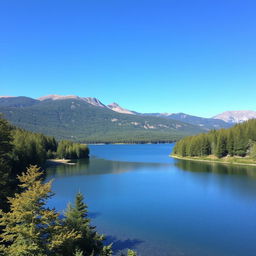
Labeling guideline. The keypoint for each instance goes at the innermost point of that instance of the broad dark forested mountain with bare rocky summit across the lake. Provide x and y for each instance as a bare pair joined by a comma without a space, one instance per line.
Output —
88,120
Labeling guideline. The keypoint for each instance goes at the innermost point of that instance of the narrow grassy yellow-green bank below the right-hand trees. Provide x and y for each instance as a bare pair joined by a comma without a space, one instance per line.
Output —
229,160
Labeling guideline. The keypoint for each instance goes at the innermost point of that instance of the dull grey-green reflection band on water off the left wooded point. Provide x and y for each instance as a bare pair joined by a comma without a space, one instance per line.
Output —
96,166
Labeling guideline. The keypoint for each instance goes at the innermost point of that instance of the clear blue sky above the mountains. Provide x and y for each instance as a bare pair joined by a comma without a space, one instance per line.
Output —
197,57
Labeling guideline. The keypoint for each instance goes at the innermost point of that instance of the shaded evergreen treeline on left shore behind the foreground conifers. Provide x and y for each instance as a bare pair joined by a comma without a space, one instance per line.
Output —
20,148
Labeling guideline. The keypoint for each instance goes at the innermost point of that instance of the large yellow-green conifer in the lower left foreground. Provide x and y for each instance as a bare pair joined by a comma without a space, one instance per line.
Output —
30,228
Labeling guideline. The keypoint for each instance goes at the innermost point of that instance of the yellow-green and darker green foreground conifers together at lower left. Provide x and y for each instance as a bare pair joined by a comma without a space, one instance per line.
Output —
30,228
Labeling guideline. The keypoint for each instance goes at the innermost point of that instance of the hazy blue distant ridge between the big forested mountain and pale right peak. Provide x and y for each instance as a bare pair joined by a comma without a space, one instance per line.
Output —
204,123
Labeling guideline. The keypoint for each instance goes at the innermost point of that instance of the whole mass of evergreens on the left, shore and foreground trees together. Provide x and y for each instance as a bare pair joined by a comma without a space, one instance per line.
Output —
27,225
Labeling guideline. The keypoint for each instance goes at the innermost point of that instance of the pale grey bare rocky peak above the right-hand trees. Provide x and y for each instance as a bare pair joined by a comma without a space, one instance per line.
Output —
233,117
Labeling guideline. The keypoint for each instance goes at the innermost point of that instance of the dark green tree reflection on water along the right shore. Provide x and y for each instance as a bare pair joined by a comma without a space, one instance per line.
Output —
196,166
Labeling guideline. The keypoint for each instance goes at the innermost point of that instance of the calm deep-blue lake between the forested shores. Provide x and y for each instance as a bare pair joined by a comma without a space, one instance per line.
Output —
146,201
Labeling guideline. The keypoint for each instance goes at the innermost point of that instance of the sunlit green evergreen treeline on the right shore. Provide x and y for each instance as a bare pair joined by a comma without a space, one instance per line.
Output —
239,140
